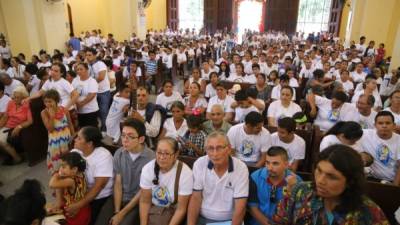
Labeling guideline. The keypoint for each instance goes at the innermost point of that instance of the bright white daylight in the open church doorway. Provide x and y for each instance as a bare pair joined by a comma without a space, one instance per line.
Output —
249,17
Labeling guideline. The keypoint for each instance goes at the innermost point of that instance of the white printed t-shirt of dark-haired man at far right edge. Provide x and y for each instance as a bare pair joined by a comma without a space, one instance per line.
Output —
386,154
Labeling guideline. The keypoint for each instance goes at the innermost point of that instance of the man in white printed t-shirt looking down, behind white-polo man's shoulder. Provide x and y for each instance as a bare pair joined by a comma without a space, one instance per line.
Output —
250,140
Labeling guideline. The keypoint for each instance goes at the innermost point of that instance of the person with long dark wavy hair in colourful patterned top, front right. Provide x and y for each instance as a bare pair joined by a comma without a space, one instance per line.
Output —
336,195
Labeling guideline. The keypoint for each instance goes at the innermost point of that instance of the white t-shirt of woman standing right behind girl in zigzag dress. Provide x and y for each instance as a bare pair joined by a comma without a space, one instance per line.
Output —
63,87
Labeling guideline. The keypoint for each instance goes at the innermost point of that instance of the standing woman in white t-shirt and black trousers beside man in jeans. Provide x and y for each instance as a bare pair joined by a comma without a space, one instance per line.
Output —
87,89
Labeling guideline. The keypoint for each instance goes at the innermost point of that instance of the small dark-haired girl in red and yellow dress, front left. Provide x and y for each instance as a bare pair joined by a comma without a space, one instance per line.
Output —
70,184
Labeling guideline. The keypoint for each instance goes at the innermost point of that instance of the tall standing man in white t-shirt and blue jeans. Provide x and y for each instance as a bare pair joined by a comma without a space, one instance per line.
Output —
98,71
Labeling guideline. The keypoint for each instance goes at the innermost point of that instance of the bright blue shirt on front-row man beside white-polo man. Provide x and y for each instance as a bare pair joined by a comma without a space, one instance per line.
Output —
261,190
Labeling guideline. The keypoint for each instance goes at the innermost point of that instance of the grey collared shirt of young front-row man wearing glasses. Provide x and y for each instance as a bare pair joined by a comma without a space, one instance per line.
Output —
130,170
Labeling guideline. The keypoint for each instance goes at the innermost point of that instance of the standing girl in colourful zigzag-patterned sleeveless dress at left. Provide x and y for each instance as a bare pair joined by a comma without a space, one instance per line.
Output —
59,125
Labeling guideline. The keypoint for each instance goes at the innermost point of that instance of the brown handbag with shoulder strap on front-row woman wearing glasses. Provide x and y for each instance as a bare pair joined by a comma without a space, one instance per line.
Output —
162,215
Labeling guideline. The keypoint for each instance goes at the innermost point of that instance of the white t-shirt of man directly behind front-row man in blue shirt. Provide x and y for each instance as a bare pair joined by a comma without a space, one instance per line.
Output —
296,149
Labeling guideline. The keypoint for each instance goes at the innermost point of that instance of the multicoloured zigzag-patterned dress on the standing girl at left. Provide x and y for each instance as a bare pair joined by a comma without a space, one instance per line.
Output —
59,140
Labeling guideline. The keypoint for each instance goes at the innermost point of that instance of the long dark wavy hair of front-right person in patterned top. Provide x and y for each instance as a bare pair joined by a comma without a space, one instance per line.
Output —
349,163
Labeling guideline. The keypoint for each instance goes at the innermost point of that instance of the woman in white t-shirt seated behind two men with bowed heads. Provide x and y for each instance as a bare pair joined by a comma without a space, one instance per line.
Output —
284,107
